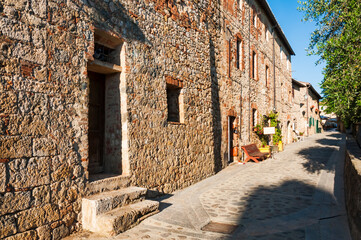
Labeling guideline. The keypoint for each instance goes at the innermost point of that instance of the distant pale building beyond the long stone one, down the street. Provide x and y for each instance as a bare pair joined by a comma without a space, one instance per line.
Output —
306,109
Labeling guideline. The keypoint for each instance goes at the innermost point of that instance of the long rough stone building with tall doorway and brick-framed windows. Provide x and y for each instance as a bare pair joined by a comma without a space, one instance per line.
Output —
102,95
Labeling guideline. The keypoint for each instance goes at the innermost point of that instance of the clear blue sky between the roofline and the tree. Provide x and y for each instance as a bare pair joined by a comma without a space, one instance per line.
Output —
298,35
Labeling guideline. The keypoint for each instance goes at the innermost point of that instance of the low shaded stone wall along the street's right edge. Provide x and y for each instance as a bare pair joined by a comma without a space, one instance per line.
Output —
352,186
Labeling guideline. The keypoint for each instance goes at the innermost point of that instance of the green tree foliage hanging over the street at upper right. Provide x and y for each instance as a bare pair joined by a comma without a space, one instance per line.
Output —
337,40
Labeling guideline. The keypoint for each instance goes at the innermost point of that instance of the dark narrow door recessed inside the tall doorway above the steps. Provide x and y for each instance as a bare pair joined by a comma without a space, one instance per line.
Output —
96,122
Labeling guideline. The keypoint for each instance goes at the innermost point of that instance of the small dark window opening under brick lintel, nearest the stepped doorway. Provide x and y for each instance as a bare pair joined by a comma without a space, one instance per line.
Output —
173,94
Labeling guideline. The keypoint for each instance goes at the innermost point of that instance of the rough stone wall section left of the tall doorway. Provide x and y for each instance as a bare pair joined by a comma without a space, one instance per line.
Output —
43,103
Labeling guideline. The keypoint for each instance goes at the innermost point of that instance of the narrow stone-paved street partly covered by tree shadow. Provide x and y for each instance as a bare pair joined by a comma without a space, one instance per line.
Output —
296,195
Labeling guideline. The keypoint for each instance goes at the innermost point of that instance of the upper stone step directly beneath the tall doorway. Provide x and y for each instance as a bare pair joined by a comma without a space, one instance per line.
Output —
103,202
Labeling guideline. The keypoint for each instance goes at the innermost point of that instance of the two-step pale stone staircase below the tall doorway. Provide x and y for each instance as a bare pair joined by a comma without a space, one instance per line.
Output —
110,213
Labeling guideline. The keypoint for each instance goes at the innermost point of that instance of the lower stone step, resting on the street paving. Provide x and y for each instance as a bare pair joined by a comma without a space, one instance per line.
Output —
121,219
